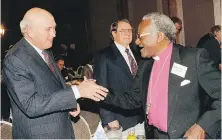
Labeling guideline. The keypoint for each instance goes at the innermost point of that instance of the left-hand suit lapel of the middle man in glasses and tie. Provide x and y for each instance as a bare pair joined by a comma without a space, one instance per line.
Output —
120,61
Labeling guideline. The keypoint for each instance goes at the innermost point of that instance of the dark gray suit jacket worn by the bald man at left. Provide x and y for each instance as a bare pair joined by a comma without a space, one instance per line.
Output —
40,100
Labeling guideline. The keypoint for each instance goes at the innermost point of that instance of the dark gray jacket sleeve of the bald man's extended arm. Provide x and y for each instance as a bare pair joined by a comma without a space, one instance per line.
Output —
22,89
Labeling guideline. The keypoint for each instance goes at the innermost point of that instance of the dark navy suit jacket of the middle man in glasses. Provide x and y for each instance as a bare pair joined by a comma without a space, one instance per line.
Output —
112,71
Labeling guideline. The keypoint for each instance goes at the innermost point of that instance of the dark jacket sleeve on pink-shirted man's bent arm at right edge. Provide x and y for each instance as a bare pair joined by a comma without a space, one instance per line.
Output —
210,80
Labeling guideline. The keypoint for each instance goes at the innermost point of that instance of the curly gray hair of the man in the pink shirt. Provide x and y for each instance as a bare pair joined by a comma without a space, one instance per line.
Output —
162,23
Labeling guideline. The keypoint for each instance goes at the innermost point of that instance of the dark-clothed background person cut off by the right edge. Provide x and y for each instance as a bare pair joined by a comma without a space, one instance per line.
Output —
212,44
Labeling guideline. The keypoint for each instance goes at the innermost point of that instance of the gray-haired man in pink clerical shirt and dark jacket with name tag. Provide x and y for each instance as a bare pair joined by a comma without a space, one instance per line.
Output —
169,85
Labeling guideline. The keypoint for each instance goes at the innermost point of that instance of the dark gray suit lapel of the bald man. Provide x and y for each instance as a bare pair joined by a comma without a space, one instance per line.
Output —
38,59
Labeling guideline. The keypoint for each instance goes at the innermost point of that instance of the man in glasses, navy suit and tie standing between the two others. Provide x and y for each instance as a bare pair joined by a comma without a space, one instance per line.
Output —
115,67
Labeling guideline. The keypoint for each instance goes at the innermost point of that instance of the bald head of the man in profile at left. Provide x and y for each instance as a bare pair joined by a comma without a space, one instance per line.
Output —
38,27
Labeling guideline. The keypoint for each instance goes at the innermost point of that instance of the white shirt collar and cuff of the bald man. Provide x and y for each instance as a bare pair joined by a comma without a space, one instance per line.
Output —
74,87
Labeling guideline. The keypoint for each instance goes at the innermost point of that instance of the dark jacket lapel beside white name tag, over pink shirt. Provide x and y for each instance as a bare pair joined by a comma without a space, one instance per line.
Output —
173,85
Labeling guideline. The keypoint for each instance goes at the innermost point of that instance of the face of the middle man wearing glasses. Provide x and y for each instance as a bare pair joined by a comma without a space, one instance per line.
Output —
123,35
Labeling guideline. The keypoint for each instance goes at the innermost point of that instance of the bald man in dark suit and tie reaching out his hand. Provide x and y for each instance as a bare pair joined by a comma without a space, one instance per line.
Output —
40,99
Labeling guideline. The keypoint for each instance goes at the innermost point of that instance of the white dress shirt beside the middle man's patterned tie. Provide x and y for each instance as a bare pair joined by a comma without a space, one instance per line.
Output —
122,50
